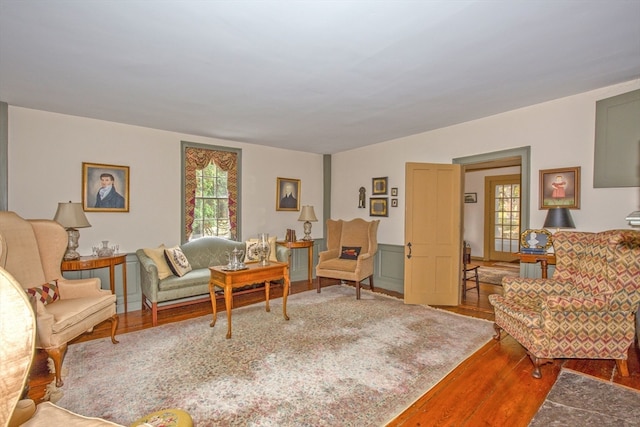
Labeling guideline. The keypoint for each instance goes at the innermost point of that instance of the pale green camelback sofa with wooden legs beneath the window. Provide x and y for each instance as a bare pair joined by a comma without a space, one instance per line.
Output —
192,287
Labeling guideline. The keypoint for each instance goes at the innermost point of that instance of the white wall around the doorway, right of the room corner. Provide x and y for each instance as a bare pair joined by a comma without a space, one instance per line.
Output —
560,133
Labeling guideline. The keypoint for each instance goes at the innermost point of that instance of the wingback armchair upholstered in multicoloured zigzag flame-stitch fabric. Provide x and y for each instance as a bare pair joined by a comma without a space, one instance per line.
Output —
586,310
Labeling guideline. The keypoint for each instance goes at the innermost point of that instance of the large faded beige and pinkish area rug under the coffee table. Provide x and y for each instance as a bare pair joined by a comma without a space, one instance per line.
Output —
337,362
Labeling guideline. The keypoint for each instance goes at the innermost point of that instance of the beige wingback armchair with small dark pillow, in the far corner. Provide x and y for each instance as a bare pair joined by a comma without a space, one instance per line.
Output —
351,248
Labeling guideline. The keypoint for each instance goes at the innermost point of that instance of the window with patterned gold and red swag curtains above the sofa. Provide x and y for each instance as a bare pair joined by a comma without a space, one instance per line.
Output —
210,191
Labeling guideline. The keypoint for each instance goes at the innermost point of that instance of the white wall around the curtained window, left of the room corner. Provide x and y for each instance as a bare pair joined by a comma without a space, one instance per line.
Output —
46,151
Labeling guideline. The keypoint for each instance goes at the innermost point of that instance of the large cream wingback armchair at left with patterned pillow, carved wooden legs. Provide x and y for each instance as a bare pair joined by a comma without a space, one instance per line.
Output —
32,252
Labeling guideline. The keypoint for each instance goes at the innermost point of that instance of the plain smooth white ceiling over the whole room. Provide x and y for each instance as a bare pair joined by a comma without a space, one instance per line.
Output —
315,76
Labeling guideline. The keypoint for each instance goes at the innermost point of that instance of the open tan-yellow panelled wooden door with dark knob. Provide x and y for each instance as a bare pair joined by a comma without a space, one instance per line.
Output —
433,223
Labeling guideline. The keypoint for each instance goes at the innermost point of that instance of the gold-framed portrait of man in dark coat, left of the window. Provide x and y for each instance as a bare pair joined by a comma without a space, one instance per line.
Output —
105,188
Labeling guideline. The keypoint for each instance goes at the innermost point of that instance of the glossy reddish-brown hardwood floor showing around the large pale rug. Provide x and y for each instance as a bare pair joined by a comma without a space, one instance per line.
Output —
494,387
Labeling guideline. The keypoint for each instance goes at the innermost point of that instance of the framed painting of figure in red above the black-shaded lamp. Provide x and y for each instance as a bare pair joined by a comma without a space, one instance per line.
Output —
560,188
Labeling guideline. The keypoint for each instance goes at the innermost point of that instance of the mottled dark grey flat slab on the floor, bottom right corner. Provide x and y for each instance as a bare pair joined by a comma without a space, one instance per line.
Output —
580,400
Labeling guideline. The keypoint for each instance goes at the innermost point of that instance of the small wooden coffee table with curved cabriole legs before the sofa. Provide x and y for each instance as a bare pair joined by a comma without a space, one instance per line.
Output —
254,273
